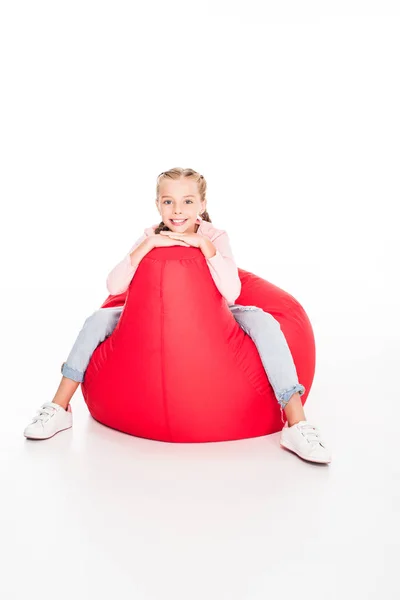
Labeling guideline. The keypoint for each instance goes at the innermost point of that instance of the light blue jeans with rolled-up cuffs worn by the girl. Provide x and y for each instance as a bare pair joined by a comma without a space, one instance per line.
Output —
262,327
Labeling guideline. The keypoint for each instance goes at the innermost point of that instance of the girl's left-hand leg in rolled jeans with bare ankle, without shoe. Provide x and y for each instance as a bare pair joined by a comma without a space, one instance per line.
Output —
95,330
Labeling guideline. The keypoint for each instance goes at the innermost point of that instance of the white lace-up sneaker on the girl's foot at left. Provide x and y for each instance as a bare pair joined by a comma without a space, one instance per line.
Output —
49,420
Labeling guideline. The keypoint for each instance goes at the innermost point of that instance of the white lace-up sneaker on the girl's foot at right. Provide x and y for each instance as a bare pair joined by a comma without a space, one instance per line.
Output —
305,440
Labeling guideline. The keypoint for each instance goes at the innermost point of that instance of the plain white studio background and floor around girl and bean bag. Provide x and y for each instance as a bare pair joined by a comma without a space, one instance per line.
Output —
291,112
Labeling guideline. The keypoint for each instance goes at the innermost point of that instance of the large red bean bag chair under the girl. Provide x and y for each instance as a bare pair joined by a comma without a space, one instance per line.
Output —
178,368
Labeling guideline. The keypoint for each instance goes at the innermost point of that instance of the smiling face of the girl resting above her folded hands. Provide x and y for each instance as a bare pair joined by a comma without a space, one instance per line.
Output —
179,199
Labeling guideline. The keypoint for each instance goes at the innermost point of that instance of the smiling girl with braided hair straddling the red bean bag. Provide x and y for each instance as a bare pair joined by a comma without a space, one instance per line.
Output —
181,202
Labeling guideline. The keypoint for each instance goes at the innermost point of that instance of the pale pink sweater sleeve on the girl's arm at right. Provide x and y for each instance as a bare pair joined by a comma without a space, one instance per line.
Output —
224,270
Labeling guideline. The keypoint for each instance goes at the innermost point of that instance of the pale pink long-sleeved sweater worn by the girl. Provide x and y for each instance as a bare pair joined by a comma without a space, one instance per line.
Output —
222,266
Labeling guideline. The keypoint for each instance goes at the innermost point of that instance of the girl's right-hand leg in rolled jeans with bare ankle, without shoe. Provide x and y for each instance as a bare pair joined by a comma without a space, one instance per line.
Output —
266,333
